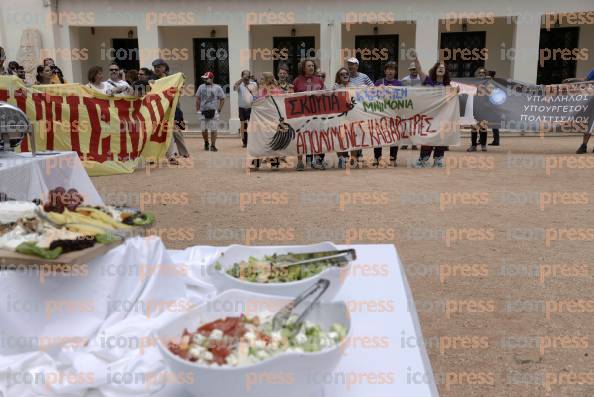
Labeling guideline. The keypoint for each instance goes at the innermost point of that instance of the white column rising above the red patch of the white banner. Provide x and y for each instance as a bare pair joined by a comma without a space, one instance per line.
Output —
330,47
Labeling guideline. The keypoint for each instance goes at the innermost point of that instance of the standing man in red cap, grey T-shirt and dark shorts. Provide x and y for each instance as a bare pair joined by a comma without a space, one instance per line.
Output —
210,99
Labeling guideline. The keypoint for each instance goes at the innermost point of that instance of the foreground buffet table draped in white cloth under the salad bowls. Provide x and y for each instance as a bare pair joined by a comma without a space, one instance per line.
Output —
382,310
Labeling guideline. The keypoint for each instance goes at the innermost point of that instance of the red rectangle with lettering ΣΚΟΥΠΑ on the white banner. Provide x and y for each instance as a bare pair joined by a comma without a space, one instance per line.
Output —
316,104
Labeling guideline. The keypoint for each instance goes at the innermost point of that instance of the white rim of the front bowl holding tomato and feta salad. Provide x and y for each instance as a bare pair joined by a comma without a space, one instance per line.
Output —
258,364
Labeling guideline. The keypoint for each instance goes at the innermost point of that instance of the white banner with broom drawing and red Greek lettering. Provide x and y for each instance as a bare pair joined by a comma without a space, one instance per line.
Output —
350,119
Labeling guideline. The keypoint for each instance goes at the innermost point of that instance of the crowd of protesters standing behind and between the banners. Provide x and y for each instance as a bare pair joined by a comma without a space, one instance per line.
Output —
210,98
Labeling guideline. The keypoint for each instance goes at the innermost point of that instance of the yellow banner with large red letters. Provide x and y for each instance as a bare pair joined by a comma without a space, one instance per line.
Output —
110,134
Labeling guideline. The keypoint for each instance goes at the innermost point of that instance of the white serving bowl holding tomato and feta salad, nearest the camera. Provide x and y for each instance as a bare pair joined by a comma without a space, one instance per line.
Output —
285,375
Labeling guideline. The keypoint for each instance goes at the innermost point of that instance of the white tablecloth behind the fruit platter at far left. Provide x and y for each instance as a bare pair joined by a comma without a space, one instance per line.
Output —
24,177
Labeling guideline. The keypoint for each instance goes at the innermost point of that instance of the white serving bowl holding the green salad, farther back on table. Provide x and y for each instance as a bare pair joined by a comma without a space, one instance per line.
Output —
237,253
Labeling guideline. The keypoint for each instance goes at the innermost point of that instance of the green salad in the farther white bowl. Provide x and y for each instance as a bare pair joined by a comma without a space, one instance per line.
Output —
266,270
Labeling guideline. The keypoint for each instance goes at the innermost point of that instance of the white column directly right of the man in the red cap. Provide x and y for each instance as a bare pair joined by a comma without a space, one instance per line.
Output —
239,41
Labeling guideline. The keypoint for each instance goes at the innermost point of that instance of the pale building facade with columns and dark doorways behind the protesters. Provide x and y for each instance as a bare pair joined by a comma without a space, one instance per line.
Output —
533,41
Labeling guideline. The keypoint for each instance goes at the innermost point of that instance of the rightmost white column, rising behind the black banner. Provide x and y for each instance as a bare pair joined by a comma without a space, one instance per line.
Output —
525,54
